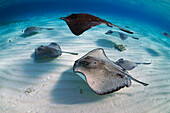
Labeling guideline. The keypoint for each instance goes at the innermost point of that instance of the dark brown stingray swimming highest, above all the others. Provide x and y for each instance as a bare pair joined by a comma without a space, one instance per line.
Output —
79,23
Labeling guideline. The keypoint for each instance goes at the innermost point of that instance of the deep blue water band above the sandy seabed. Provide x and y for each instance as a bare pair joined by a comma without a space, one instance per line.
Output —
150,15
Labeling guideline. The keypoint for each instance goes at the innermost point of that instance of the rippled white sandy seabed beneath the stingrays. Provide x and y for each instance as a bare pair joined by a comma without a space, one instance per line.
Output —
58,89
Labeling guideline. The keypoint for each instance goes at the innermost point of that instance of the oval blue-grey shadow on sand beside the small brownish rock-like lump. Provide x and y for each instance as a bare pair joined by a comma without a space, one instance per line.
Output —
105,43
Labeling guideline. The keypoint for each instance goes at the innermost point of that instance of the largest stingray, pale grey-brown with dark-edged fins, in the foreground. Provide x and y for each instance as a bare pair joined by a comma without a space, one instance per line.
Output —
102,75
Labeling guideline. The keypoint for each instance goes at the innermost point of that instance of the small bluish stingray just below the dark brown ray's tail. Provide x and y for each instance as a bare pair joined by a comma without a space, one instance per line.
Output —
121,35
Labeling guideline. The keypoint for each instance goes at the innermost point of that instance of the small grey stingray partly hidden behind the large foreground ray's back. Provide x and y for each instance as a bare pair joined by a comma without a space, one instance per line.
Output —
128,65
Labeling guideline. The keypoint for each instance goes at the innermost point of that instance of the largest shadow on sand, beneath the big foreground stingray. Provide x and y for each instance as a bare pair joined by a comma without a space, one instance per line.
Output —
71,89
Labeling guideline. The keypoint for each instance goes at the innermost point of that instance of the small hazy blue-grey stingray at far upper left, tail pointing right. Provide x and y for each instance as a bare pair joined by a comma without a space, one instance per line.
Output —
34,30
